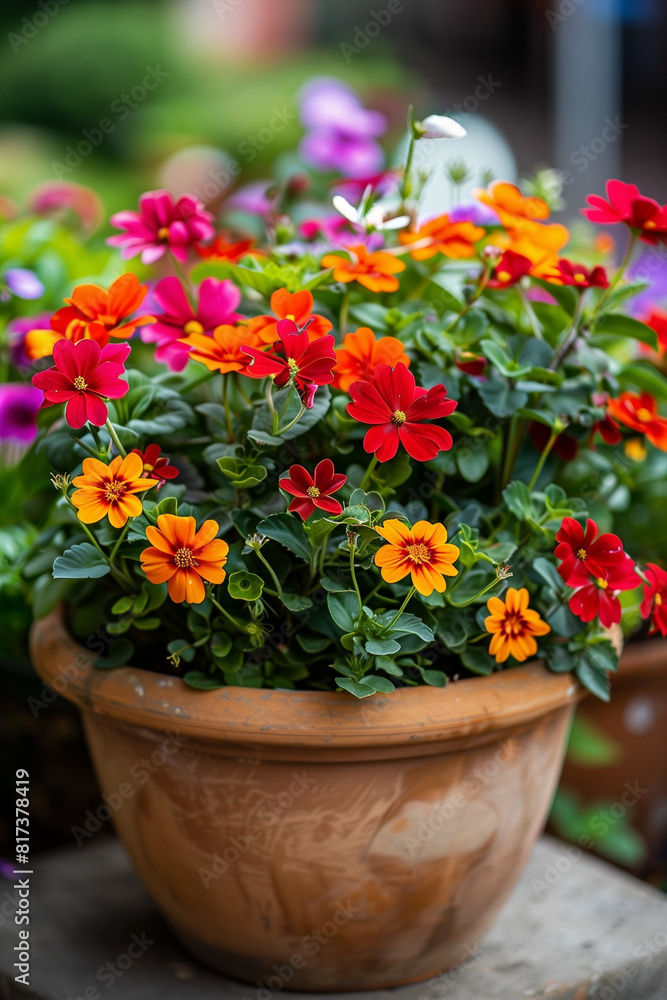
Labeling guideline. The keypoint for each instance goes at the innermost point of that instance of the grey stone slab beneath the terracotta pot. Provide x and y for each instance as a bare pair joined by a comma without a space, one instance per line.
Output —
574,928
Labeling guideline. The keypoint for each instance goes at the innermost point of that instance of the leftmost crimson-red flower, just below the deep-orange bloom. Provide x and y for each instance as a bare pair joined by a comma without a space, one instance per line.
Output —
83,377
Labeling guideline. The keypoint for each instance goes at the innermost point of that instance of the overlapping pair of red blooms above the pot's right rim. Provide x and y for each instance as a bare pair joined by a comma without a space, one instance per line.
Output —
597,568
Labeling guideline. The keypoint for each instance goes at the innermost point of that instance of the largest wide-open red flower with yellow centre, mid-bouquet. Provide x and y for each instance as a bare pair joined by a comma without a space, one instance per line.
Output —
396,408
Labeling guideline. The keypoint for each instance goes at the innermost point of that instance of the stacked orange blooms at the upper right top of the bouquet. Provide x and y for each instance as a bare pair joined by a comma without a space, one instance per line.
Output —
526,231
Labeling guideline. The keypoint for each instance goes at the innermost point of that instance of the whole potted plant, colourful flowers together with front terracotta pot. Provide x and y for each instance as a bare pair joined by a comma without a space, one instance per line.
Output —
324,612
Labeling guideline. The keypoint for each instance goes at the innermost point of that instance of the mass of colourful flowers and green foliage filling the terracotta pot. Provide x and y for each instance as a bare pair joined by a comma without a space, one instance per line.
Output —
326,460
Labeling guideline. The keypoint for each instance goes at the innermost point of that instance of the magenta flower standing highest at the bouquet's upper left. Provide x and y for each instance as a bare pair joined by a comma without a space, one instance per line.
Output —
160,225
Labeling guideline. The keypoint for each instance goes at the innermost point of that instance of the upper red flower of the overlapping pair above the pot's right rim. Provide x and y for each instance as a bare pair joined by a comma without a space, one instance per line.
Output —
584,554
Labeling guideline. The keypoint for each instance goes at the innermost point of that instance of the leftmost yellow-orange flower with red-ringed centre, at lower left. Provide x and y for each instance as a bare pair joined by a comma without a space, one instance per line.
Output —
110,489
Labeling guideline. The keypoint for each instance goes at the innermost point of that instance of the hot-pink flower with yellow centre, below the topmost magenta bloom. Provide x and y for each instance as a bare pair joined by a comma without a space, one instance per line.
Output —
215,305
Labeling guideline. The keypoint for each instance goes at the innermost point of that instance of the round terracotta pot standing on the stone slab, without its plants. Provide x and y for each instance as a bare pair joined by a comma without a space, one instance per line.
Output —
311,841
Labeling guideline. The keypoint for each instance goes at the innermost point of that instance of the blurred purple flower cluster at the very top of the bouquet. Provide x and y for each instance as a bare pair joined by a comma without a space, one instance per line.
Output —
341,132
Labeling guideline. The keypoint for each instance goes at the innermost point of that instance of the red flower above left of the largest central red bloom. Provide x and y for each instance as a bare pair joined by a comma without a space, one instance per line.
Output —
293,360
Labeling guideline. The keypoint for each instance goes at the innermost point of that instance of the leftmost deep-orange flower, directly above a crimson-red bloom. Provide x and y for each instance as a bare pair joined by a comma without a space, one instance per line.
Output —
92,314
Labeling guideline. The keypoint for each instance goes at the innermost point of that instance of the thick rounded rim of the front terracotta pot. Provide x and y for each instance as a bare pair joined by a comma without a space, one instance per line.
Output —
300,719
